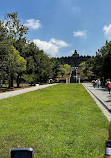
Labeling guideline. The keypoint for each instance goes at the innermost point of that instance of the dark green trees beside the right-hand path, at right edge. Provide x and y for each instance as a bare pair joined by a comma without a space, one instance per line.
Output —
101,63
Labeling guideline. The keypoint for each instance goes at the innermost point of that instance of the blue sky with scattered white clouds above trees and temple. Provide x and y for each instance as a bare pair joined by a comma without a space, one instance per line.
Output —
61,26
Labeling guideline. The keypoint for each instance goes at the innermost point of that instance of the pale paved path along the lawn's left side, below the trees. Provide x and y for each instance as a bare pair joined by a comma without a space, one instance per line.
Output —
21,91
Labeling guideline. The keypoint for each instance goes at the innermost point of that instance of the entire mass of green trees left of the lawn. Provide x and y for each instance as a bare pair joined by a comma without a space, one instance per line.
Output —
13,50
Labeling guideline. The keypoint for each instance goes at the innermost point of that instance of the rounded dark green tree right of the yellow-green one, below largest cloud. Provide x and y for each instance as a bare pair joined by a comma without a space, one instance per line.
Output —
38,63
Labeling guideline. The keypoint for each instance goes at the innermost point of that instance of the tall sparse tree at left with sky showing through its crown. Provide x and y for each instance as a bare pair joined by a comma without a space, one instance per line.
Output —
15,33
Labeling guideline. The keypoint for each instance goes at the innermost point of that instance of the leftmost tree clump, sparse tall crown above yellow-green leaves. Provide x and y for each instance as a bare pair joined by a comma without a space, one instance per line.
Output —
11,31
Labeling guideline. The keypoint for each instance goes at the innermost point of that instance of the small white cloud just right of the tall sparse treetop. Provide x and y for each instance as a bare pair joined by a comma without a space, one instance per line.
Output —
33,24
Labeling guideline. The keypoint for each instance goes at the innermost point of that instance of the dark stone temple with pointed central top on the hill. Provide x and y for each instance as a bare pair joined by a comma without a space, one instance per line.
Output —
74,60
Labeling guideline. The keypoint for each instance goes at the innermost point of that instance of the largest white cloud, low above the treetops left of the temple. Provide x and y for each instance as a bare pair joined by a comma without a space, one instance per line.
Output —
52,47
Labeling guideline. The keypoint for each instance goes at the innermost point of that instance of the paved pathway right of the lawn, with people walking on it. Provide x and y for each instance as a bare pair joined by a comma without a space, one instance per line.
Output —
102,98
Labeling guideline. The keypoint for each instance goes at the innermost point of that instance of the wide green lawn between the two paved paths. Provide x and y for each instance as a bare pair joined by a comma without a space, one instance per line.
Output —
61,121
